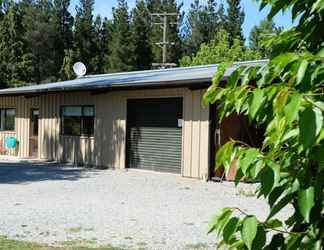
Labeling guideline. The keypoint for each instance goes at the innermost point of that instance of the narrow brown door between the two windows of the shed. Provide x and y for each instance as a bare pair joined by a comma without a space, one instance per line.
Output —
33,140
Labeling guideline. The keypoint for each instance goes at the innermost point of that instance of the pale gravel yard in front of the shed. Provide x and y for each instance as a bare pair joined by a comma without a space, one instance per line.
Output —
130,209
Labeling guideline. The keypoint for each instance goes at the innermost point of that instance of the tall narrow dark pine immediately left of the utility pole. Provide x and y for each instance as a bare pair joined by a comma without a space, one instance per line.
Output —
140,36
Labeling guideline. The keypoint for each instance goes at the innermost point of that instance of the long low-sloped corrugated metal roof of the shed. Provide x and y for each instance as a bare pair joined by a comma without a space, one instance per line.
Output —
149,78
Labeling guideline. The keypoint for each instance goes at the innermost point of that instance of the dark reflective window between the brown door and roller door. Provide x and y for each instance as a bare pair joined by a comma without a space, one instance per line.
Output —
77,120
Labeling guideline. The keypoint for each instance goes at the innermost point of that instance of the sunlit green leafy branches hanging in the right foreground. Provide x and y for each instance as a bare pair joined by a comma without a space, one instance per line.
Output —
284,98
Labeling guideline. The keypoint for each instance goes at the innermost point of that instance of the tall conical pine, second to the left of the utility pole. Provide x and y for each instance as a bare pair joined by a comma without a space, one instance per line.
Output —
122,52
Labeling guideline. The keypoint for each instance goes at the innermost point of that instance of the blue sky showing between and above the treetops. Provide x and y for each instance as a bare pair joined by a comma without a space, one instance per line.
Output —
252,14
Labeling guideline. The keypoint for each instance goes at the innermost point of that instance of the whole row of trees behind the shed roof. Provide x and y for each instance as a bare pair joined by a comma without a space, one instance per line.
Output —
42,38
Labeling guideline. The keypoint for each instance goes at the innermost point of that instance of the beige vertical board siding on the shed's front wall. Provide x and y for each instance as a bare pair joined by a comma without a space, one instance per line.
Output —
108,146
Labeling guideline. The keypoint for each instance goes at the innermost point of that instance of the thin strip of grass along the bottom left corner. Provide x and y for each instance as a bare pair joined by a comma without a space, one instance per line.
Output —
8,244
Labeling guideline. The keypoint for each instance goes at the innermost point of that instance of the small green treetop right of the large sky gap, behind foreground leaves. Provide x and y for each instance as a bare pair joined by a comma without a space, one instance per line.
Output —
262,33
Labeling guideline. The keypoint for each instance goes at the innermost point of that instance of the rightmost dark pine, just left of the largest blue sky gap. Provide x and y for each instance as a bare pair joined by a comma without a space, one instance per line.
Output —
234,20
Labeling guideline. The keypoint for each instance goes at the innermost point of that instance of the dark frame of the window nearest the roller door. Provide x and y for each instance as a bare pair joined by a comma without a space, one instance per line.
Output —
81,120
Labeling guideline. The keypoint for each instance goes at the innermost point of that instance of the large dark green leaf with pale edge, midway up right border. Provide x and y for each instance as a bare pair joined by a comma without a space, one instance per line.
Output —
311,122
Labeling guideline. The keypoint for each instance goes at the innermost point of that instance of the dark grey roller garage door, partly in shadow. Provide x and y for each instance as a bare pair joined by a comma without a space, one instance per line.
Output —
154,134
